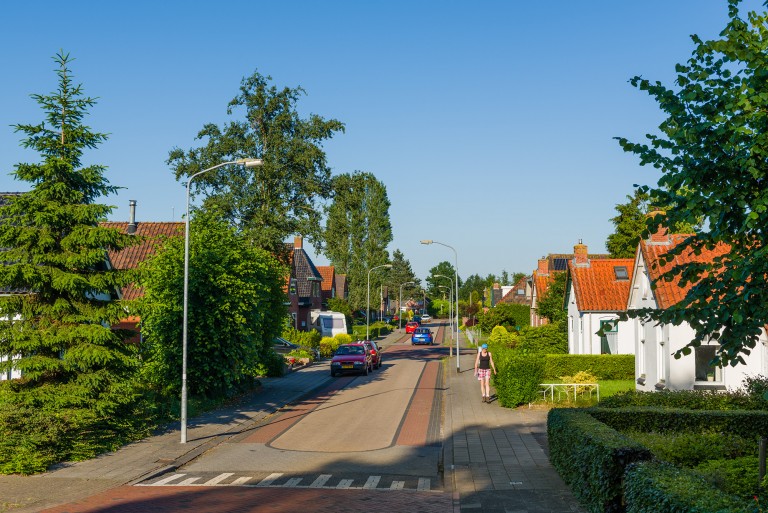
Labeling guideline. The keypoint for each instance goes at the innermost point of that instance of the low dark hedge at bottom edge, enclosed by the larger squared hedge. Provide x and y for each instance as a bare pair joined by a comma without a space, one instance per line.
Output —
658,487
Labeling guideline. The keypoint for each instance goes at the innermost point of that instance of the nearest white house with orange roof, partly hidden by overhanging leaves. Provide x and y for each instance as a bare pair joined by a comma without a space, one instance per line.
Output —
655,366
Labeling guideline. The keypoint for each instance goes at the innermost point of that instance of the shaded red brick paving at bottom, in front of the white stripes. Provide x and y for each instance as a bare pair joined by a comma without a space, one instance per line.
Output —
233,499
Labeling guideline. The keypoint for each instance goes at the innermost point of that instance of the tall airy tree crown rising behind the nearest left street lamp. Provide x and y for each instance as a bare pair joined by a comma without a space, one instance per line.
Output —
281,197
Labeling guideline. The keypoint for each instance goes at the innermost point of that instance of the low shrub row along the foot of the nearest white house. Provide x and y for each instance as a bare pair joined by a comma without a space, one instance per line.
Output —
687,399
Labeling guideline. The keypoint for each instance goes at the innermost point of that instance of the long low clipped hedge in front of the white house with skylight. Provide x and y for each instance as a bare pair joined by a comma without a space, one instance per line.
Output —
604,366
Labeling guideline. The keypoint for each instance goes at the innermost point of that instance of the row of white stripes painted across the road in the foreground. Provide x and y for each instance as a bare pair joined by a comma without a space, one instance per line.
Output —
272,481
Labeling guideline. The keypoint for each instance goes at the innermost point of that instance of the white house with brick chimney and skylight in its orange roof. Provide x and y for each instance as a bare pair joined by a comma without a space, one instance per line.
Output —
596,293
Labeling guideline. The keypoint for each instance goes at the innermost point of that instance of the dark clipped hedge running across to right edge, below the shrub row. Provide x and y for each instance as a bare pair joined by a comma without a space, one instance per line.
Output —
743,423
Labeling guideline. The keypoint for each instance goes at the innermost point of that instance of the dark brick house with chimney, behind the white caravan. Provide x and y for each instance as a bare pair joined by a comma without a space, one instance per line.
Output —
303,287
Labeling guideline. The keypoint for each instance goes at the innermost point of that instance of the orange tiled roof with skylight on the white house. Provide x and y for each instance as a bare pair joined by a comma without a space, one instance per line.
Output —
596,287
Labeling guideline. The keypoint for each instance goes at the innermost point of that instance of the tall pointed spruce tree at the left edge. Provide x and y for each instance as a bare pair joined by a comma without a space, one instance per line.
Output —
57,322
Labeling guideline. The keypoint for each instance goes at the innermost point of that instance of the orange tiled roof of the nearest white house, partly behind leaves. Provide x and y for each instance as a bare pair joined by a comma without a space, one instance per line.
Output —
669,293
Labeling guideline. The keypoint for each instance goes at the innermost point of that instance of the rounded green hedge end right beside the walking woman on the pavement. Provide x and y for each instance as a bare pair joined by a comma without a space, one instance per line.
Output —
518,378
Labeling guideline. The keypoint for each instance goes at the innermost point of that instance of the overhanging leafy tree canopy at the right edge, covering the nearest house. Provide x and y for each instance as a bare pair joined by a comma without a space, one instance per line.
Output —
711,150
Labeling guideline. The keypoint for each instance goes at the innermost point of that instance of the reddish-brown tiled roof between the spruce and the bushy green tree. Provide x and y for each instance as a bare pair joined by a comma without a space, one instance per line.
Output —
130,258
